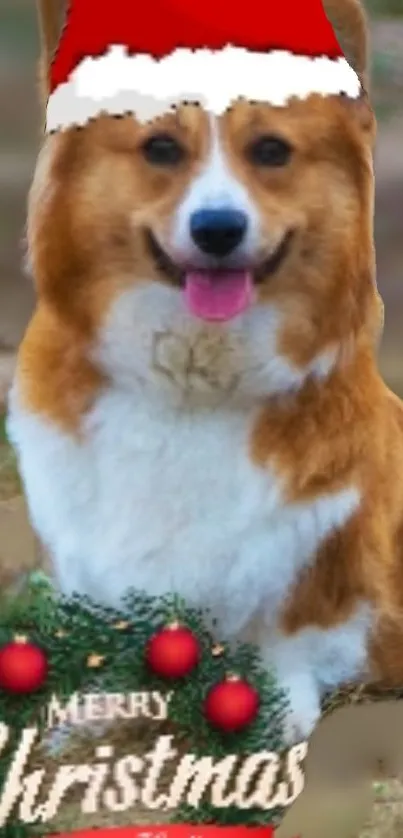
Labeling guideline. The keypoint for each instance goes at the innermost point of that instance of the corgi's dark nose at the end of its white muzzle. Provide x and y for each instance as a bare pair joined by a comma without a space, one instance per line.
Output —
218,232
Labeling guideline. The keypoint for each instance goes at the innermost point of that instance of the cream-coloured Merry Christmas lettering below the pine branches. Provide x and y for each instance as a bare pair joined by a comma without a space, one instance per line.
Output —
264,779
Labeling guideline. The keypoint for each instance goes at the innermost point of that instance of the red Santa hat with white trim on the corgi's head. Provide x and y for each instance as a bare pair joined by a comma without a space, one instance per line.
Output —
146,56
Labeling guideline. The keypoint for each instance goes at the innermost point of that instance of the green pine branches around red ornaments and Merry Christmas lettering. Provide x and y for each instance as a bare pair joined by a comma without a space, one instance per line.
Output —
69,630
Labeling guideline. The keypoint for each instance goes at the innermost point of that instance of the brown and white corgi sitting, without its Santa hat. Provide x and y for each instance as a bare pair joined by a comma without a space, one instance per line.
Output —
197,406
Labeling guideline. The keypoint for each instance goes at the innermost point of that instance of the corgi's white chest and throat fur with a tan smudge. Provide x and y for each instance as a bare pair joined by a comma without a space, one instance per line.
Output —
161,494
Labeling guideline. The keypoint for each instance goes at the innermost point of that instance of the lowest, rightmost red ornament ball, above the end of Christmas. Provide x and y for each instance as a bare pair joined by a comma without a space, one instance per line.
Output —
231,705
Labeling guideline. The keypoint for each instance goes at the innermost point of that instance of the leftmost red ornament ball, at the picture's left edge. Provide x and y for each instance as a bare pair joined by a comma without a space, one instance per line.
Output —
23,667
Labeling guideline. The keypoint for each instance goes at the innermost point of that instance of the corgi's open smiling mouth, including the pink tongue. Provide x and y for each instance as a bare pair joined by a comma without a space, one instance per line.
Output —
217,294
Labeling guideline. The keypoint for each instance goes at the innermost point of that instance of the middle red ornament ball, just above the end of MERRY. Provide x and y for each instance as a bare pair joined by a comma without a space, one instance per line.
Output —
173,651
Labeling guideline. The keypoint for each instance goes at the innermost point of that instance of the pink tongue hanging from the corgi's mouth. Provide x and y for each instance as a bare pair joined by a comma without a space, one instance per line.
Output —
218,296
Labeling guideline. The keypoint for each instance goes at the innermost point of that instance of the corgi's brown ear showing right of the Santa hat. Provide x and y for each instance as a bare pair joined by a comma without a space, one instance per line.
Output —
349,21
